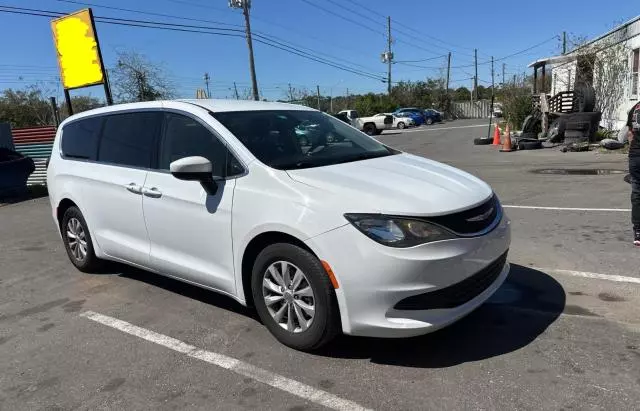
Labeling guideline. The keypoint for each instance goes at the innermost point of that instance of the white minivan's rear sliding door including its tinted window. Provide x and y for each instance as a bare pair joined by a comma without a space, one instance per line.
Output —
111,190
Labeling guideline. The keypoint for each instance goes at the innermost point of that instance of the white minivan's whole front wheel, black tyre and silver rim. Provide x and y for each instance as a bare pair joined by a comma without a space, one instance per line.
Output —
294,297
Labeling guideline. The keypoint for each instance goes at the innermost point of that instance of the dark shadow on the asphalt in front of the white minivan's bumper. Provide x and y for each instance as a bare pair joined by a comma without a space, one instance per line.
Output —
522,309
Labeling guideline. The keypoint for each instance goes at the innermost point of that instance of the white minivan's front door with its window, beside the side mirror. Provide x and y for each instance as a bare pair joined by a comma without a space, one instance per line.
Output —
189,230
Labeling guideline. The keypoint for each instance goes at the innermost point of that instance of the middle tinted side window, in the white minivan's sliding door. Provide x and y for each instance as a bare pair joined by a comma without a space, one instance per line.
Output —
128,139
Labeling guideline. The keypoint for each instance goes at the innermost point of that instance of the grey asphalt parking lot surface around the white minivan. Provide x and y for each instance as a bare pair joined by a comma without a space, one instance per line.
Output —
562,333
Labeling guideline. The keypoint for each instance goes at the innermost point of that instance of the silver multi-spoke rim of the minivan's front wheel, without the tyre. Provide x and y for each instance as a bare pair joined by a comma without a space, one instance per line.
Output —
288,296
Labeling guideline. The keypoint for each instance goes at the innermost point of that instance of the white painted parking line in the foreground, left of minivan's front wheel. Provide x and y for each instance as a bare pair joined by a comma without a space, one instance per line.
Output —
288,385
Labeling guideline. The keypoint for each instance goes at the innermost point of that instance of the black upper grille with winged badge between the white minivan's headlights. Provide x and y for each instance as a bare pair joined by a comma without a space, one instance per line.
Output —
471,222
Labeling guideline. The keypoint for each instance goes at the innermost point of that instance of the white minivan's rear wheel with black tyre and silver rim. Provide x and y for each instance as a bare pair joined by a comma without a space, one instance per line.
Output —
77,241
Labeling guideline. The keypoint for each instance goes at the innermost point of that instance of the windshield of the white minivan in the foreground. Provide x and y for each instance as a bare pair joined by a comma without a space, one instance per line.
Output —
294,139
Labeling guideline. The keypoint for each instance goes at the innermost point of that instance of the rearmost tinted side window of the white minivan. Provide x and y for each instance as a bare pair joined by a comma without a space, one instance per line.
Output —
80,138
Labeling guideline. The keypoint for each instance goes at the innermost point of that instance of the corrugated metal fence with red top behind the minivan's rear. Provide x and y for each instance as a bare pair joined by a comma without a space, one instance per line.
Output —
37,143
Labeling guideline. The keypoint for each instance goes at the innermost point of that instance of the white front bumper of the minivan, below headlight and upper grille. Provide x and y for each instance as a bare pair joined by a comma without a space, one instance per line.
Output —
373,279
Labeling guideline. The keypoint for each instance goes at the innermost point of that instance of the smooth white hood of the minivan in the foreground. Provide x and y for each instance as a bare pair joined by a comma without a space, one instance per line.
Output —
400,184
